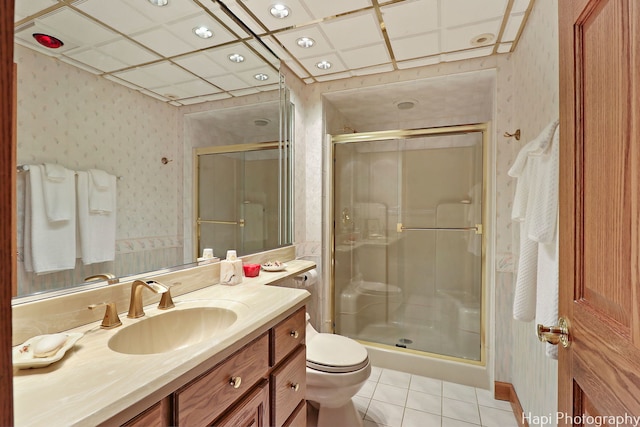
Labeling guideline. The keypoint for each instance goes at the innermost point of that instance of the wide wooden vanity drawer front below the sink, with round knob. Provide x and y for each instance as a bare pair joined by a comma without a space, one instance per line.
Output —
204,399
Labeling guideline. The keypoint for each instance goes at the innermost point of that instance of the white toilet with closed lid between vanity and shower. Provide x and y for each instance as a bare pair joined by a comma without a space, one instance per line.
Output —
337,367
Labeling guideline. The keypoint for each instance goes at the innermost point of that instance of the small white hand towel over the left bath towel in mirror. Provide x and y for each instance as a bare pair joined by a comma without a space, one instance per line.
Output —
58,186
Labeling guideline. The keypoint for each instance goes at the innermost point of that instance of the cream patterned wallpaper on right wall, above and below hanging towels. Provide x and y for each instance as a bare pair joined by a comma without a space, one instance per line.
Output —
534,103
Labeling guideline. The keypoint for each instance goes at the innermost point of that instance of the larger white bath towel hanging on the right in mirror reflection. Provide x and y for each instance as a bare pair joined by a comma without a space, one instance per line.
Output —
97,230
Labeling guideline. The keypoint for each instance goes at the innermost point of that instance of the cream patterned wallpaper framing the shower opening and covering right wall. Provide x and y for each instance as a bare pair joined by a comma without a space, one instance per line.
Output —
526,98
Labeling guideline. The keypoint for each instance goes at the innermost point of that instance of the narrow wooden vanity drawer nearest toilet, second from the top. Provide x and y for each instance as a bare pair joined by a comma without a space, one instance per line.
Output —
288,386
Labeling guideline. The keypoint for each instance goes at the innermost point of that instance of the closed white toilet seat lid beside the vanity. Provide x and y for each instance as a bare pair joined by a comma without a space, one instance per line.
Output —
335,353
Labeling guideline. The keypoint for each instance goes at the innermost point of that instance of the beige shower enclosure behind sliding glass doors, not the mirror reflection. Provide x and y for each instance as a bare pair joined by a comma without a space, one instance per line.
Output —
408,239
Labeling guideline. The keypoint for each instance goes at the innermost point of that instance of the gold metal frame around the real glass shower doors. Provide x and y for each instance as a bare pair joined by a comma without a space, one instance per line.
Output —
409,134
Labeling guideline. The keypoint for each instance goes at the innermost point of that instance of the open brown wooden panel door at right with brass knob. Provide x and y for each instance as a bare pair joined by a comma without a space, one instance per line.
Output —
599,374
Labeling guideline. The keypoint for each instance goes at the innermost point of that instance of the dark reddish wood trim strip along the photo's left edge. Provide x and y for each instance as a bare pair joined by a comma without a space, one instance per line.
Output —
7,208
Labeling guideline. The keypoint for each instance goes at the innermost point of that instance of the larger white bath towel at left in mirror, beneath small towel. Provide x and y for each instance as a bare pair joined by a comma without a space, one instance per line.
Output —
48,246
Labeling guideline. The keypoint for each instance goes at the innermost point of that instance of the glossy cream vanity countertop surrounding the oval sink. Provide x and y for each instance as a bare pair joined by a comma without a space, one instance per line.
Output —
92,384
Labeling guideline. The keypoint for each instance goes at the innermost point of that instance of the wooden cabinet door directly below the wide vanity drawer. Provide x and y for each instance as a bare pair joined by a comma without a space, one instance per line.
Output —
253,411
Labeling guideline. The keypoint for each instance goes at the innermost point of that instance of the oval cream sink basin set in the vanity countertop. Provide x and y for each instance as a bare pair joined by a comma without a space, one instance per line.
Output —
172,330
